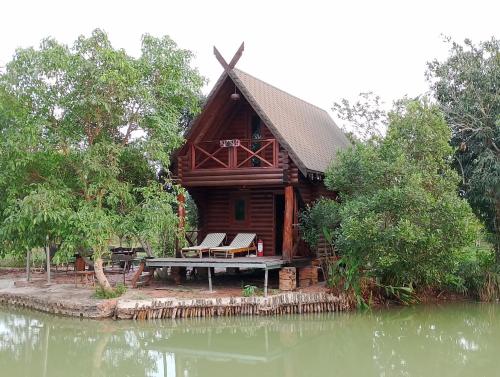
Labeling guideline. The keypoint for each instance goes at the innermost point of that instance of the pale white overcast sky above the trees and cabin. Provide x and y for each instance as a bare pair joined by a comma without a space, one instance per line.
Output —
320,51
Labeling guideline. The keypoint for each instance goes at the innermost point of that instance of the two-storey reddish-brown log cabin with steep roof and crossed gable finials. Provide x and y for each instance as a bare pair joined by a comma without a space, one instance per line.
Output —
254,157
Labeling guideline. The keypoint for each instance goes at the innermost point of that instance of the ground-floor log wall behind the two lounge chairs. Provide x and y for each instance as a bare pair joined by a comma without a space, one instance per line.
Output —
216,214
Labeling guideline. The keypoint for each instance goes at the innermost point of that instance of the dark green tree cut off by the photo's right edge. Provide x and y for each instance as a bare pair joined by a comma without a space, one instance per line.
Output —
467,88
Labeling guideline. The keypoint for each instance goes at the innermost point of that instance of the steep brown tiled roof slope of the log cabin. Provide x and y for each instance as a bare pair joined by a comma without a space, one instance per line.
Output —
308,133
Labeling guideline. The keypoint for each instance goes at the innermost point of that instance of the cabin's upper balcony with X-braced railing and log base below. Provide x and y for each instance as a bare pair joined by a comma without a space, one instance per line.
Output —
235,162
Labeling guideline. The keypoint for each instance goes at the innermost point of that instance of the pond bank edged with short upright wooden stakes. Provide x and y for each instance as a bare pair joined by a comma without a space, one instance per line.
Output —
65,299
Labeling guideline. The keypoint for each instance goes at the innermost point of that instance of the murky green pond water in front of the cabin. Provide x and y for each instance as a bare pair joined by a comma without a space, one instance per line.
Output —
448,340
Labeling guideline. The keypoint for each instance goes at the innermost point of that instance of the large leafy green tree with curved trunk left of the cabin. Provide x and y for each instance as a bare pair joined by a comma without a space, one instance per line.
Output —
86,129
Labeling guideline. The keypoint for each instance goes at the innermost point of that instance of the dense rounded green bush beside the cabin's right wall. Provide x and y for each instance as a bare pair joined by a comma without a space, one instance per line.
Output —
399,218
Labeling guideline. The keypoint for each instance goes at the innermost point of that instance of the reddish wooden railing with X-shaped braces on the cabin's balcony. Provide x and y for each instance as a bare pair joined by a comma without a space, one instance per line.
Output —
232,154
